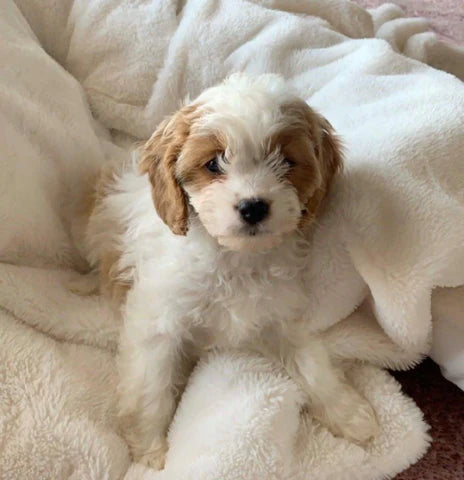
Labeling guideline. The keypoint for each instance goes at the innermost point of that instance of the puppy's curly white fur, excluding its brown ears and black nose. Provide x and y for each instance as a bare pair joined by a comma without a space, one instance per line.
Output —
192,293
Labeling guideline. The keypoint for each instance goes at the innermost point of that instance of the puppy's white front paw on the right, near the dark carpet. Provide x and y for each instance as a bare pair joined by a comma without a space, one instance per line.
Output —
352,417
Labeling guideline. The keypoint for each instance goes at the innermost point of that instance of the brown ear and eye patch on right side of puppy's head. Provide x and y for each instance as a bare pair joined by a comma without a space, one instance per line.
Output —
308,141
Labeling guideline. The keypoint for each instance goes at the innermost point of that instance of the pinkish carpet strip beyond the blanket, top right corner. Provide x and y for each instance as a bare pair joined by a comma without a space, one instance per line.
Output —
446,16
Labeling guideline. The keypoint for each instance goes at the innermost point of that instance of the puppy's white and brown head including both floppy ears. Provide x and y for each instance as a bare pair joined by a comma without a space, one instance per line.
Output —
251,160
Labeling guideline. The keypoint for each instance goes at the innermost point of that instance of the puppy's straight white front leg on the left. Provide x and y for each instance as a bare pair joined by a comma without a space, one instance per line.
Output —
148,372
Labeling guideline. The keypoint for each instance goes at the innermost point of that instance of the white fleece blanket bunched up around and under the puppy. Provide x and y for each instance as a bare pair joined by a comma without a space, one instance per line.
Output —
394,226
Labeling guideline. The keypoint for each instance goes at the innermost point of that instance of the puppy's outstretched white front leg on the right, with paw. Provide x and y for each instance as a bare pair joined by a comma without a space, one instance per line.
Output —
333,401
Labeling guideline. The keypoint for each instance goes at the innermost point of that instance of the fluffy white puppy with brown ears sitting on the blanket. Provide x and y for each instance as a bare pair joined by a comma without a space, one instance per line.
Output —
236,178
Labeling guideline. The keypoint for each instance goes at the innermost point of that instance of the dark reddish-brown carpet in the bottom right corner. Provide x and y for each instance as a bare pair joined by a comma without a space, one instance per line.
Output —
443,406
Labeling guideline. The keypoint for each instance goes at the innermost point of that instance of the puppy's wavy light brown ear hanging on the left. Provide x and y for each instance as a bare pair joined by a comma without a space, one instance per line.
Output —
158,159
